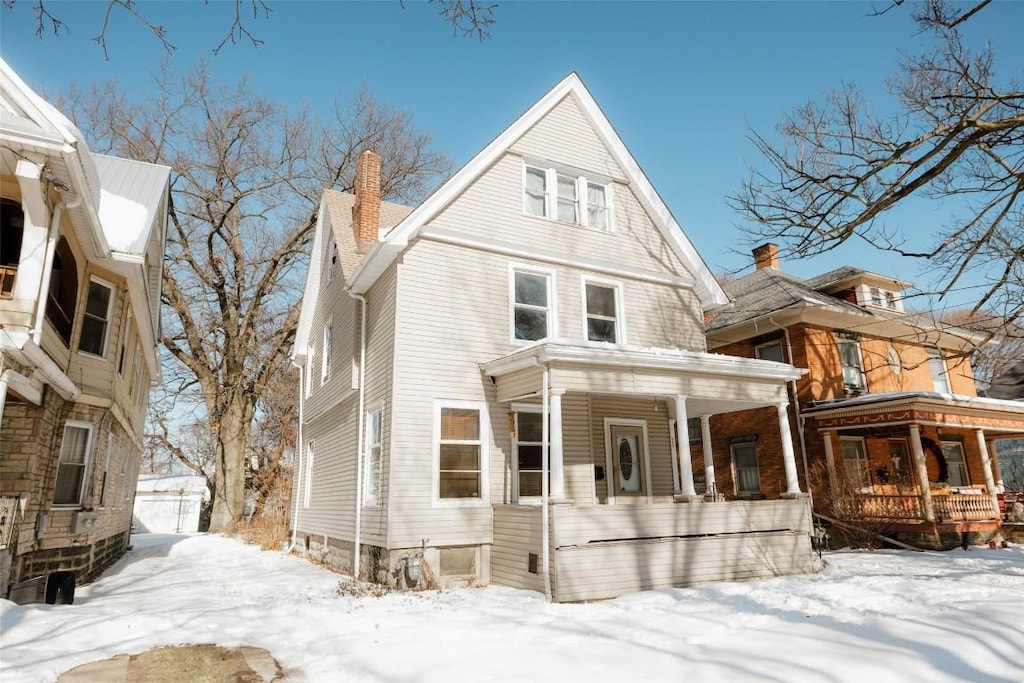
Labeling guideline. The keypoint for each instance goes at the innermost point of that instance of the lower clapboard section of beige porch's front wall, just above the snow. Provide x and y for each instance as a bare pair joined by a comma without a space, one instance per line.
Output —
607,571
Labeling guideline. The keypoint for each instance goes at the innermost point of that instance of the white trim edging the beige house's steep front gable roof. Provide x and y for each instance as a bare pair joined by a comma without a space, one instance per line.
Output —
388,250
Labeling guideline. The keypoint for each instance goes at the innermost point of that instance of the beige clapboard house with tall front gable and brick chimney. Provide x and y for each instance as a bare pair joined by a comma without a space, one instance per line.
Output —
516,368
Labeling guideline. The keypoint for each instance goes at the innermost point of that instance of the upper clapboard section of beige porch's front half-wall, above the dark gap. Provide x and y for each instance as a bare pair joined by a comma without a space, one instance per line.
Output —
578,526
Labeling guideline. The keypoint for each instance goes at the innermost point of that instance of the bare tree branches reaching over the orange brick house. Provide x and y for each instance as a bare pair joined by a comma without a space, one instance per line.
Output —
959,137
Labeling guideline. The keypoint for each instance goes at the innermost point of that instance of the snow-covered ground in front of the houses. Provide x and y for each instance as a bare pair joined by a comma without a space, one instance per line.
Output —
869,617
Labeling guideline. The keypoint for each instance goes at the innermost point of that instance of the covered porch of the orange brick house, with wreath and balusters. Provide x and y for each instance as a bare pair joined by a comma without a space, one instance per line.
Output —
917,463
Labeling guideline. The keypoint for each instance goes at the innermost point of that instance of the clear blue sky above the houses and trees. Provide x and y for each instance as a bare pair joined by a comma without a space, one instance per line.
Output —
680,81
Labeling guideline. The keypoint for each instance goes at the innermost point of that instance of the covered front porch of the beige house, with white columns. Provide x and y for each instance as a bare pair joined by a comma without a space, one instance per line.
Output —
602,494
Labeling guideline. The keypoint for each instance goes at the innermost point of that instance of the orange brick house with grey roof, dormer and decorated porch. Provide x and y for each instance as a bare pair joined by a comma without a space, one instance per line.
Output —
888,403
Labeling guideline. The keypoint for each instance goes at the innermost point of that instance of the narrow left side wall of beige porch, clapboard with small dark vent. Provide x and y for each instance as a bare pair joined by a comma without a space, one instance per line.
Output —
518,534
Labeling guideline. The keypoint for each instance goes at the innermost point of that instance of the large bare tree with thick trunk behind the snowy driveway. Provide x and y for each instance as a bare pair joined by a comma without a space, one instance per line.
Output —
247,179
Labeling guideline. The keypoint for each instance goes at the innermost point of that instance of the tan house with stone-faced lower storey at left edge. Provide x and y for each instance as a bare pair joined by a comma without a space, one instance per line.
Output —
81,263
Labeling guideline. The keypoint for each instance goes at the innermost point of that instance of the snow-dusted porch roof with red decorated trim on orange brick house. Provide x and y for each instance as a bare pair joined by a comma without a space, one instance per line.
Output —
927,408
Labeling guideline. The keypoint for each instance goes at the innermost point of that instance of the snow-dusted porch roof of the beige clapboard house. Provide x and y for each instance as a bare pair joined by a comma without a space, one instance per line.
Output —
711,382
